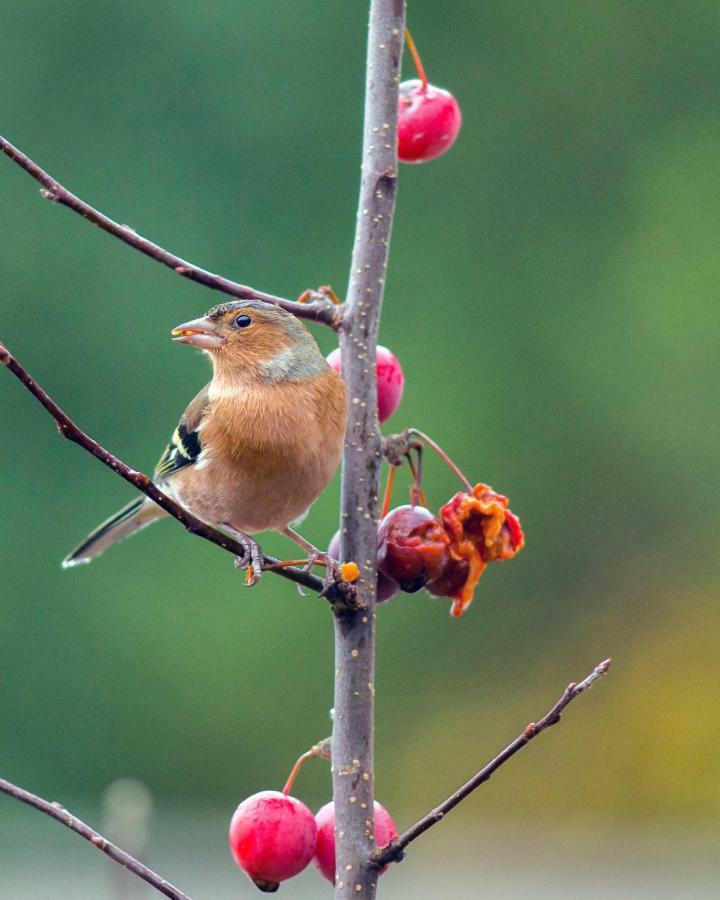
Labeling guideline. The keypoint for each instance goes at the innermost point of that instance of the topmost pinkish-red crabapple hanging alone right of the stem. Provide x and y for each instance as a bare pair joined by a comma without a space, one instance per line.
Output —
429,121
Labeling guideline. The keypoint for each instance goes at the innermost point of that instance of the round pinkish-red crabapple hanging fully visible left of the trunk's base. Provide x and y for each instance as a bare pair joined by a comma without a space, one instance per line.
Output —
272,837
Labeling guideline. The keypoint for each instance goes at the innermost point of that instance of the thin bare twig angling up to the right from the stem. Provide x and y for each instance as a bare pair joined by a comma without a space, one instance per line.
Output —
395,850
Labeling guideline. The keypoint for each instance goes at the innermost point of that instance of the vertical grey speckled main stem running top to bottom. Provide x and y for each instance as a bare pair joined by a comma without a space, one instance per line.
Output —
355,630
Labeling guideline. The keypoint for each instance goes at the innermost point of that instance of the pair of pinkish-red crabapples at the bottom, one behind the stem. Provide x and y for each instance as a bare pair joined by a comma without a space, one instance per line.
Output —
273,837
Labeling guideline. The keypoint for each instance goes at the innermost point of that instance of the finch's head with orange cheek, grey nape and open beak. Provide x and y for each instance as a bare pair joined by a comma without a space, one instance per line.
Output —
254,339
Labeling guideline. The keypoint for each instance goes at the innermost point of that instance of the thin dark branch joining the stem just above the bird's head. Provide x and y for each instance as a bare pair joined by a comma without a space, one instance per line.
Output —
319,309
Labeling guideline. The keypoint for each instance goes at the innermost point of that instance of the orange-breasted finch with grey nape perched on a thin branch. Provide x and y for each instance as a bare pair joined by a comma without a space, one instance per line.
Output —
258,444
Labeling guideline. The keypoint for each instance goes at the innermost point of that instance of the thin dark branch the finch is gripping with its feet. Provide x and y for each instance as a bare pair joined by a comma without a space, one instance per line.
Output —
341,592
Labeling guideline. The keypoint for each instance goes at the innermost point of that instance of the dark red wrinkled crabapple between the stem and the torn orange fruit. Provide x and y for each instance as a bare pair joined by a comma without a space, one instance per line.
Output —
412,547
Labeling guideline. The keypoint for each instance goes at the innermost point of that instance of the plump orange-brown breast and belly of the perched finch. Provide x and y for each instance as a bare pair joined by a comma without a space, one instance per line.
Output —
269,450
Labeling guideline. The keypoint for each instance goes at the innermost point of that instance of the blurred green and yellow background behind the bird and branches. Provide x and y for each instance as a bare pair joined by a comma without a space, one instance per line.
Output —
553,296
